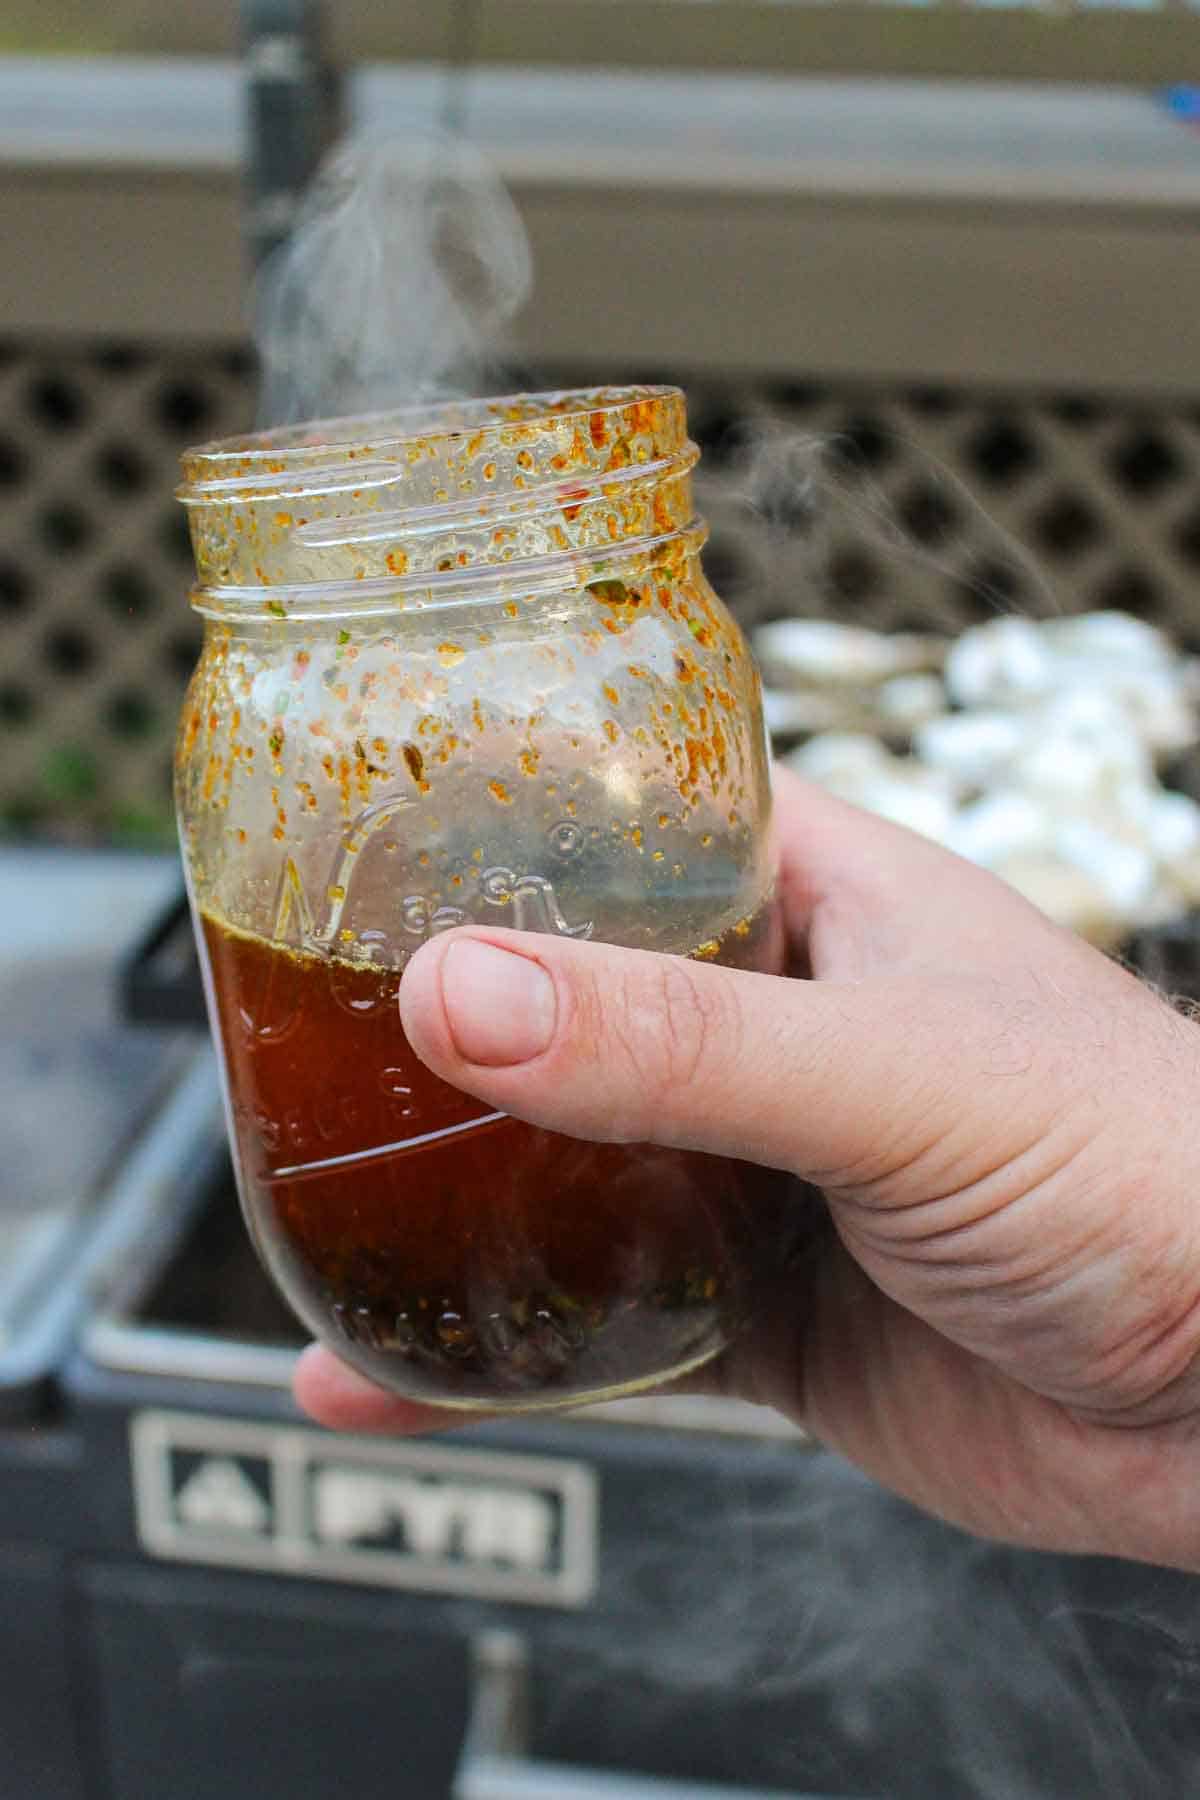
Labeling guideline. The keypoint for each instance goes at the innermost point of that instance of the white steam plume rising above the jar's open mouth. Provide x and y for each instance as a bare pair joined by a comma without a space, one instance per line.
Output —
406,265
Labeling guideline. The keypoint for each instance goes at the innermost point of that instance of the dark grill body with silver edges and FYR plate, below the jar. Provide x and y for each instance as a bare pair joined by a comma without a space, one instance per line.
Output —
204,1596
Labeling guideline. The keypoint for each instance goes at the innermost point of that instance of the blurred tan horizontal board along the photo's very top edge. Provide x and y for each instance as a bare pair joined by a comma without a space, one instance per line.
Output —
1120,44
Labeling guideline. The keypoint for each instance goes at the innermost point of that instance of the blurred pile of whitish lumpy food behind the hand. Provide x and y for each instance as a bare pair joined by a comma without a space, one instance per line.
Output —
1034,748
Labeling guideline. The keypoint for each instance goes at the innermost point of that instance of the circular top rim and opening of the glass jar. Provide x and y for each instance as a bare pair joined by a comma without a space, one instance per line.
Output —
386,436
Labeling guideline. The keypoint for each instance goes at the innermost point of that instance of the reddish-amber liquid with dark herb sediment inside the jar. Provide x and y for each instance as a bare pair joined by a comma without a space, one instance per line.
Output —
454,1254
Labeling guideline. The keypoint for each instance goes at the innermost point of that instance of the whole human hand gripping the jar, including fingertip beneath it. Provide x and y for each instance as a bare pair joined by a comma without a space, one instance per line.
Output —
1005,1320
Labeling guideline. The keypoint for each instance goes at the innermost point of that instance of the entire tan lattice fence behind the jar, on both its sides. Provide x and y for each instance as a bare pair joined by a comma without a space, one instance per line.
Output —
924,508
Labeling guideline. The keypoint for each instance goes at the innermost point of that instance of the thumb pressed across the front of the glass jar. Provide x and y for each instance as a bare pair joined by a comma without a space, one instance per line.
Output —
636,1047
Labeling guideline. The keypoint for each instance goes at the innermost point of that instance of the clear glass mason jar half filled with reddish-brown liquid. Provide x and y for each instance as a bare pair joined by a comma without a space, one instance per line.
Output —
461,665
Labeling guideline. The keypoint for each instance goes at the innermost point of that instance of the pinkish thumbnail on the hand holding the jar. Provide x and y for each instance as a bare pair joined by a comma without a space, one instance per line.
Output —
501,1007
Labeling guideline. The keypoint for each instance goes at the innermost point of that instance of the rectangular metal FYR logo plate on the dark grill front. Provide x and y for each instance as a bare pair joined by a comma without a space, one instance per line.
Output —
418,1516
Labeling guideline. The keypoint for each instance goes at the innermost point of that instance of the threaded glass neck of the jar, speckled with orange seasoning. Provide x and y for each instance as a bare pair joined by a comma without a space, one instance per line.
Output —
438,503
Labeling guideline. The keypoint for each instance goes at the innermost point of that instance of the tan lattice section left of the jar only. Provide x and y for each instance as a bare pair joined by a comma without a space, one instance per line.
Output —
96,638
